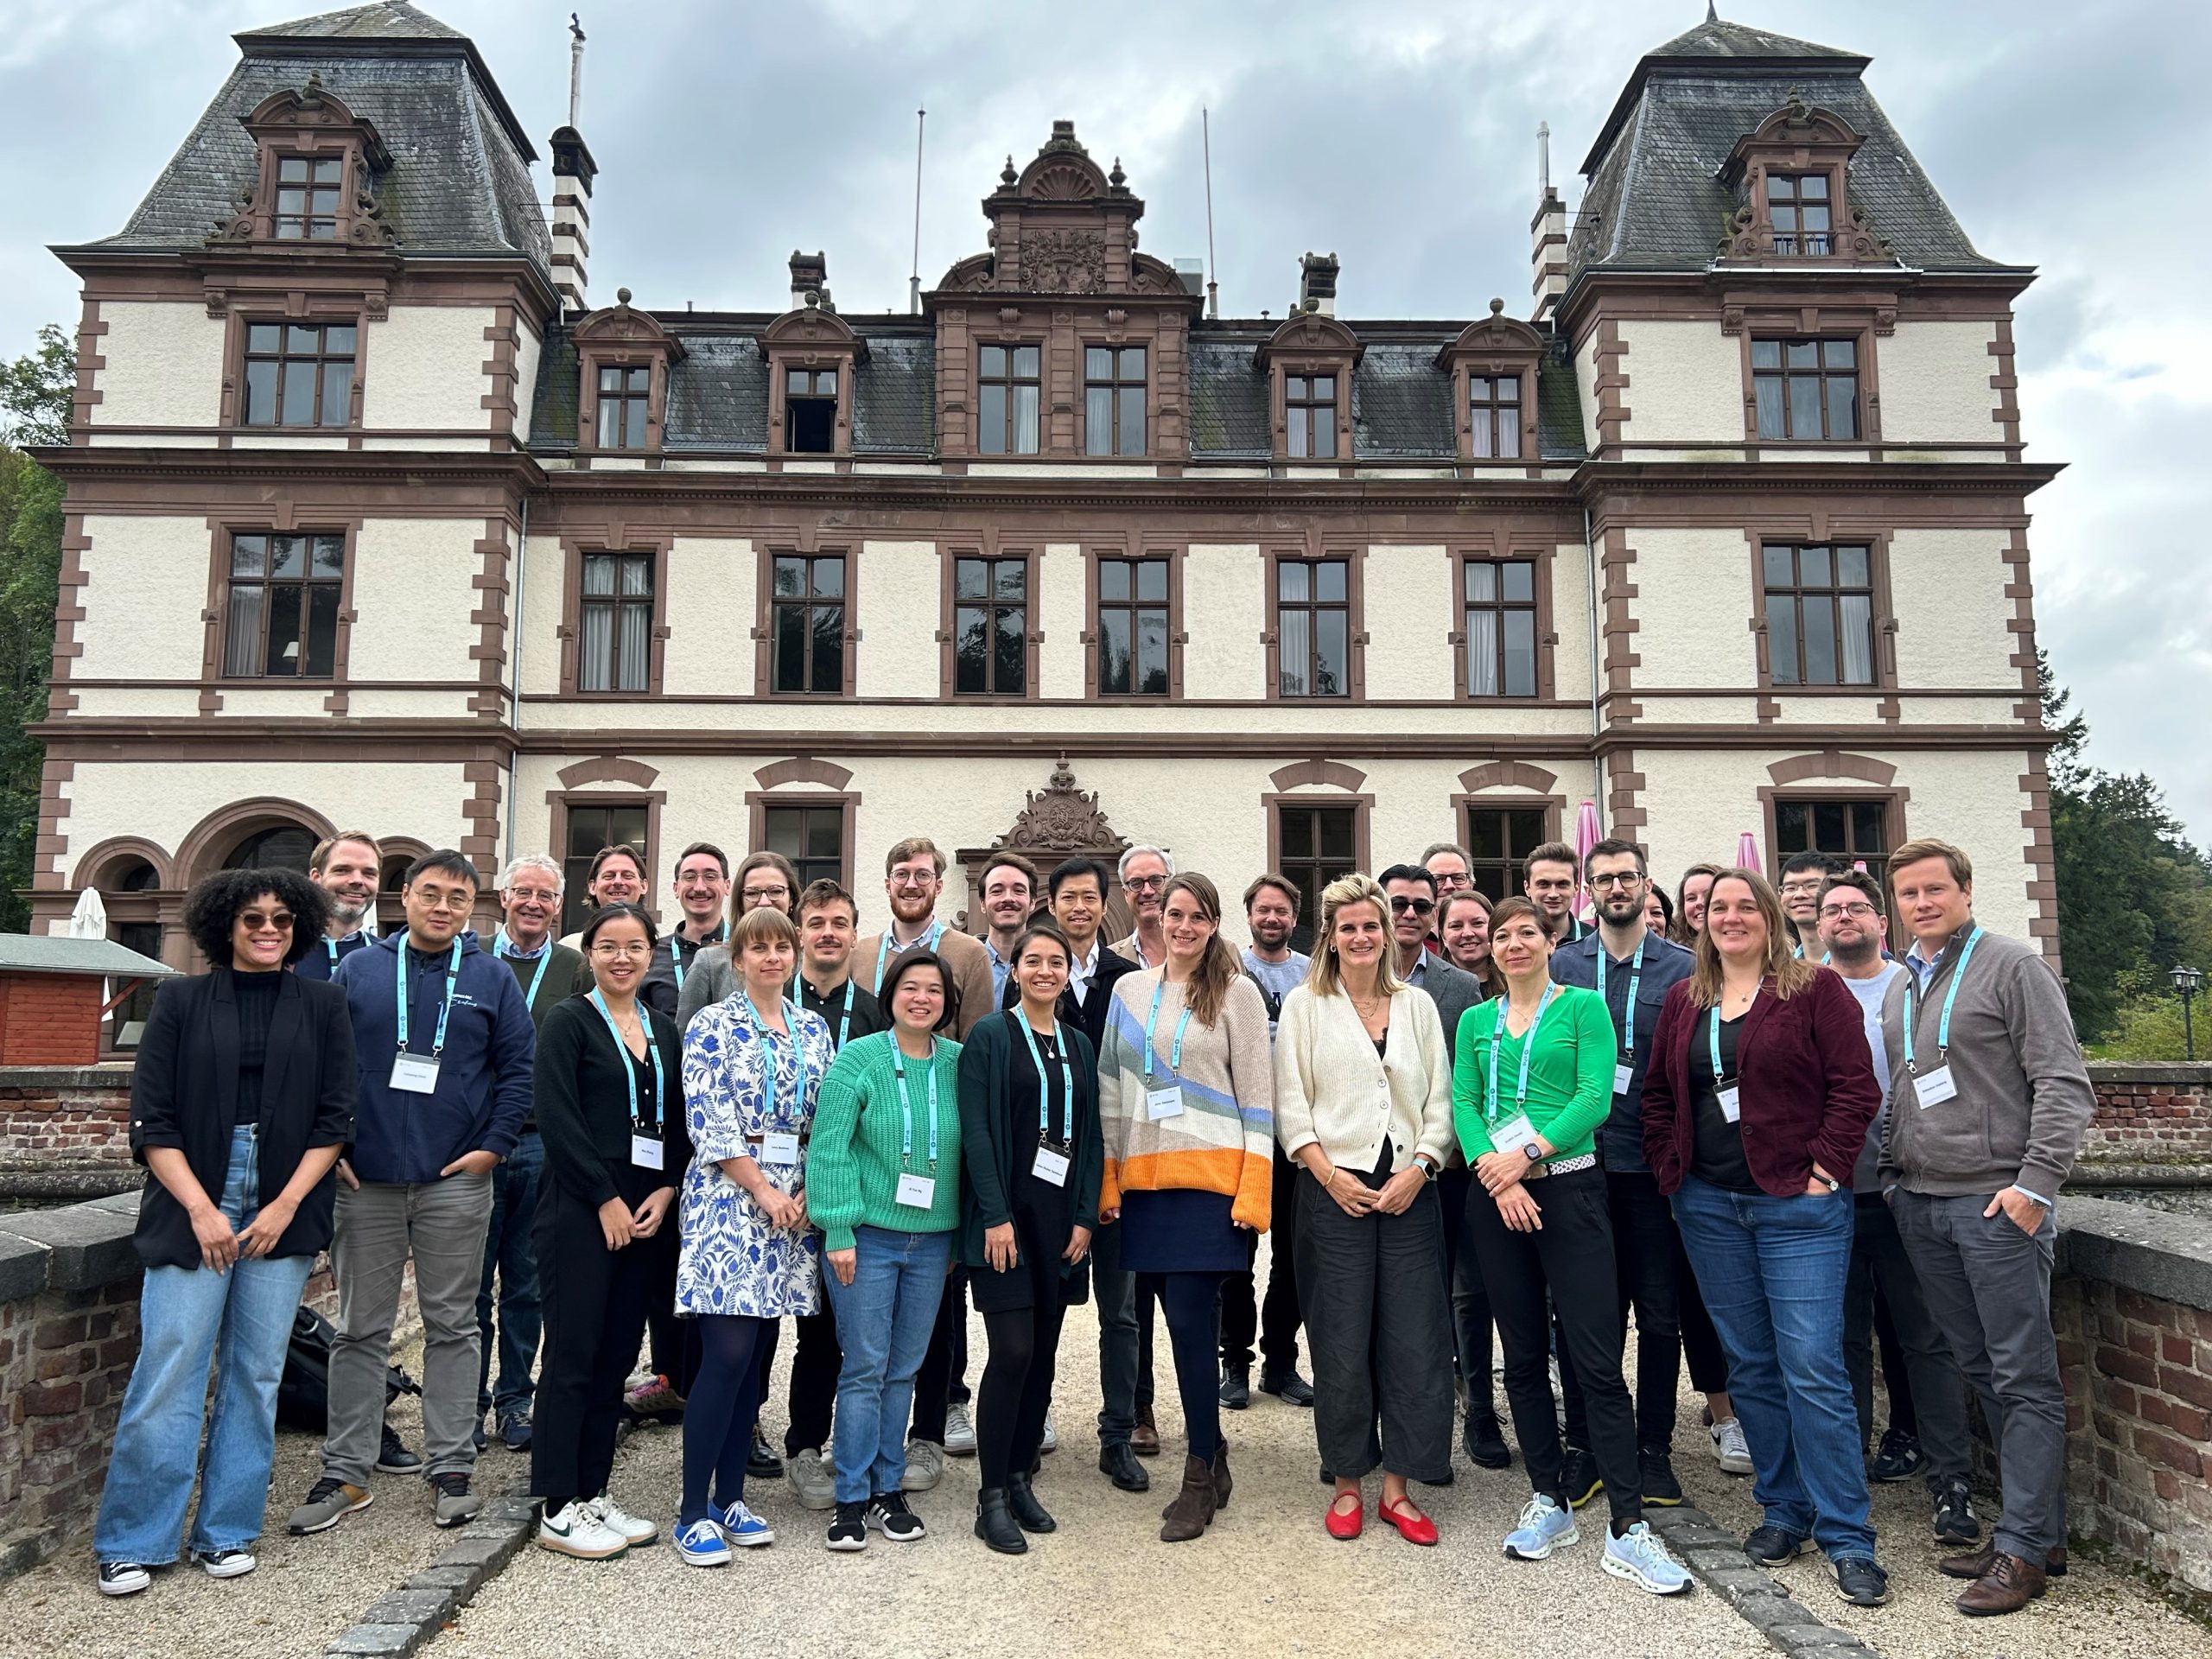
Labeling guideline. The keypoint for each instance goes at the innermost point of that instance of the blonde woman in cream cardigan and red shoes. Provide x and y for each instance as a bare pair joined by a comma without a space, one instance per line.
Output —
1364,1103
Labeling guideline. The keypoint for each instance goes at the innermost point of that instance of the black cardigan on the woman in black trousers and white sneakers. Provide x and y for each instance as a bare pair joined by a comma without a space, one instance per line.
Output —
583,1096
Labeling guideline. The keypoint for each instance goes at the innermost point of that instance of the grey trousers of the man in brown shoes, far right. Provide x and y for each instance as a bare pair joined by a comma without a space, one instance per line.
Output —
1987,1286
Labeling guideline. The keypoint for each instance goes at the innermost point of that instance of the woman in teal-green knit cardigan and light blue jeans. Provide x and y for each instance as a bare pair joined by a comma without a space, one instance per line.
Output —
884,1185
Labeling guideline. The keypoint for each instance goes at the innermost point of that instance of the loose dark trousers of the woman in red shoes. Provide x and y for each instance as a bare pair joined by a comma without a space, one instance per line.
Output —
1381,1335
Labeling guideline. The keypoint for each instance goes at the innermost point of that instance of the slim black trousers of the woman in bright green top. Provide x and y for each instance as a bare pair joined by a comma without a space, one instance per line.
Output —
1567,1264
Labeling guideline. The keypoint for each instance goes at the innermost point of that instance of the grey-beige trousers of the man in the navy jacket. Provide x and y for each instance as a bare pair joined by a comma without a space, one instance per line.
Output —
441,1224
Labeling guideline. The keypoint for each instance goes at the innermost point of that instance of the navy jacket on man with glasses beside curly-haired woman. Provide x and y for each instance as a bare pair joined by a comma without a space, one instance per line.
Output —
483,1076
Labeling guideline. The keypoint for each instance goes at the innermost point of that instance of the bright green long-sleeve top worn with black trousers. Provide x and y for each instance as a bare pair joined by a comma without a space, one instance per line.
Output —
1569,1074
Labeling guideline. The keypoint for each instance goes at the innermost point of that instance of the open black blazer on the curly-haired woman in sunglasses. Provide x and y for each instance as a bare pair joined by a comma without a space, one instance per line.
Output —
185,1096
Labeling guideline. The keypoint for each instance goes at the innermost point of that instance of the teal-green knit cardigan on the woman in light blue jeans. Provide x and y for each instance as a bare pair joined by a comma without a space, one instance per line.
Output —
855,1158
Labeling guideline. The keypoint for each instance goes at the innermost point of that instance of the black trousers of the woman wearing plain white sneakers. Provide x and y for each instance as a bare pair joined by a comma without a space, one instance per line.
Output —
596,1306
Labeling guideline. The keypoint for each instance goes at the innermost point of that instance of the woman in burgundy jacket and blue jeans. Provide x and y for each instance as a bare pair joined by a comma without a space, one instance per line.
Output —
1755,1109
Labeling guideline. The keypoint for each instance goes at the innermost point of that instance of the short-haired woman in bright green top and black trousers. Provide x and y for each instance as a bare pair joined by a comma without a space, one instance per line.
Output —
1532,1083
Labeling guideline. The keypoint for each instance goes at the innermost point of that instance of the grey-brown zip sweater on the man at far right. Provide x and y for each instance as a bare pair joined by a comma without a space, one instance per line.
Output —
2023,1092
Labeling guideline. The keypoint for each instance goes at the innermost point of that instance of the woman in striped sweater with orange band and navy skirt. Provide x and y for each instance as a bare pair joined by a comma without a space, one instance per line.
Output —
1187,1112
